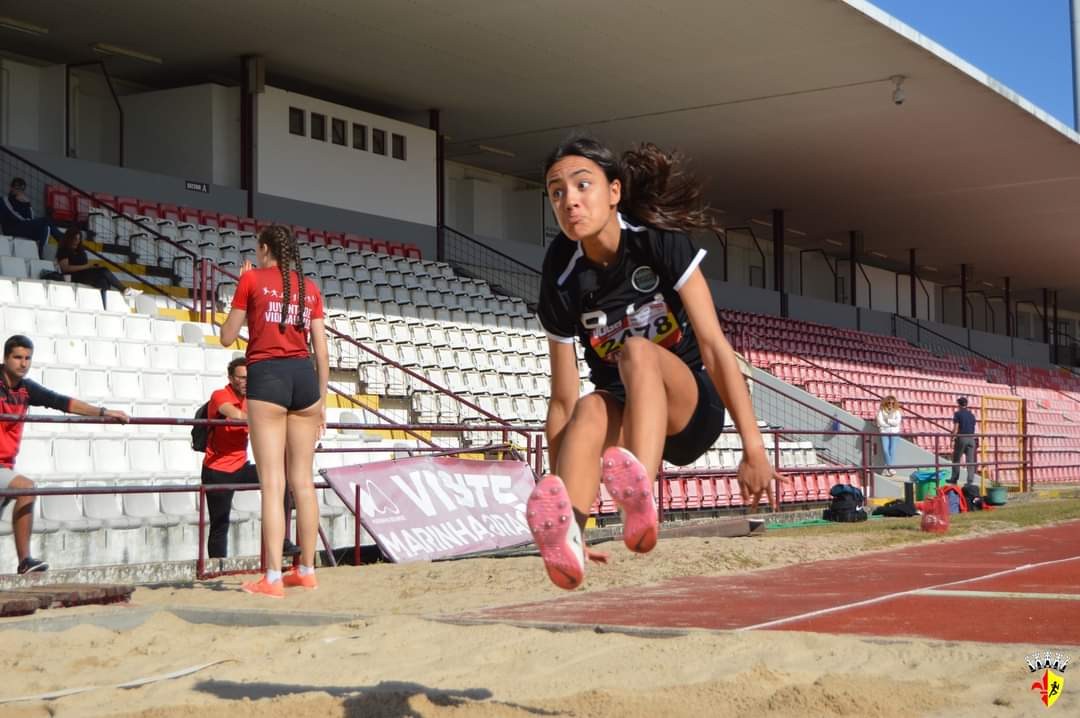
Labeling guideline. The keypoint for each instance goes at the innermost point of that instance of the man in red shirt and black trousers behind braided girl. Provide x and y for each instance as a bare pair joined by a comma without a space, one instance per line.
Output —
226,459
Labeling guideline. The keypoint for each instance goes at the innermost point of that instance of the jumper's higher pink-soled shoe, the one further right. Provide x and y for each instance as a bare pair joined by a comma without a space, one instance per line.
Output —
632,490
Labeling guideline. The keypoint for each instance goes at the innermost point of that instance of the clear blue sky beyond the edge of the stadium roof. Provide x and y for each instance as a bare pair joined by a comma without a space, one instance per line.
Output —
1023,44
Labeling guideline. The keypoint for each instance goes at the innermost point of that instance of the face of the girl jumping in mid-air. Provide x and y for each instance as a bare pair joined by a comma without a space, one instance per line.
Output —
583,198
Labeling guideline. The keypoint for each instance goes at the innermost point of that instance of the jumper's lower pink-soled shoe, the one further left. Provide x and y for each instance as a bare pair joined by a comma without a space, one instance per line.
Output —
557,534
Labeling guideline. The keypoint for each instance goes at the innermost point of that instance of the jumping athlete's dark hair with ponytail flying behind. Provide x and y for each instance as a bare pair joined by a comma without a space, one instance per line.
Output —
656,187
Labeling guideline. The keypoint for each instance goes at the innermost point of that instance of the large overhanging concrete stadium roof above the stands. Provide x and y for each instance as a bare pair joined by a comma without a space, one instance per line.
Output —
780,104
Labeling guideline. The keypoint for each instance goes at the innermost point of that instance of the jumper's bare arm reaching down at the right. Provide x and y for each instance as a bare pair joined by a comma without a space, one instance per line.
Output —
755,473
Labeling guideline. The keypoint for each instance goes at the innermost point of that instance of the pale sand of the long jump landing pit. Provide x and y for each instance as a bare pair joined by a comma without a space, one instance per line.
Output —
398,661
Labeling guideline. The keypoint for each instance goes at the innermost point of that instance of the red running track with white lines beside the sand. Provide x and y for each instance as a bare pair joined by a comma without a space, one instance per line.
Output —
1030,579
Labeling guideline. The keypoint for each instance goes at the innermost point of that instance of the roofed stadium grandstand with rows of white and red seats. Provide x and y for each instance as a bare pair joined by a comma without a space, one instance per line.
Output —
896,223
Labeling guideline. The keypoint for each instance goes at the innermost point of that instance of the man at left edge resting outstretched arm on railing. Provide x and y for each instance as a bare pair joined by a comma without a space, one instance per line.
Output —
18,395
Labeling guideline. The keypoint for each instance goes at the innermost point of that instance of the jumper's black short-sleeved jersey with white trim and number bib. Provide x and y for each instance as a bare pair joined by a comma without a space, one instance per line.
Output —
637,295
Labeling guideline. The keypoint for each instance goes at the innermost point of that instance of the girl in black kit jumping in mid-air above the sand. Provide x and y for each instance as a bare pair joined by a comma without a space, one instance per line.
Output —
624,279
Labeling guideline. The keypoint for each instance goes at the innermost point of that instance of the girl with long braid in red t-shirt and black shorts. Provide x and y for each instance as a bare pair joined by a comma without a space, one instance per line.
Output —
287,399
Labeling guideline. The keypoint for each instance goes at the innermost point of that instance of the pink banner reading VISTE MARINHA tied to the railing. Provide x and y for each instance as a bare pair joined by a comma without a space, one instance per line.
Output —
429,508
